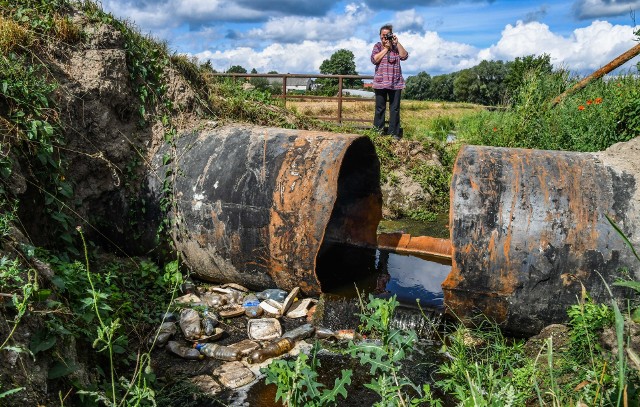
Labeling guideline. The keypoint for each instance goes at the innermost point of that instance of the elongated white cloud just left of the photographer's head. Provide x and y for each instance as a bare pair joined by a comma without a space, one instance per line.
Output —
295,29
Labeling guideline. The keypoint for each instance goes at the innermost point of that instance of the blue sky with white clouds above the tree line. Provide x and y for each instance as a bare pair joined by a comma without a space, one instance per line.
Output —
442,36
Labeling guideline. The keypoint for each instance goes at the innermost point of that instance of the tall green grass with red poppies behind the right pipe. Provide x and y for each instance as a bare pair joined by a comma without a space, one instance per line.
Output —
600,115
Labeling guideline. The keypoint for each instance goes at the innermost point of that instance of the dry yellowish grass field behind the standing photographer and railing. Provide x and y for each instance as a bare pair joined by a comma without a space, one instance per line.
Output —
418,118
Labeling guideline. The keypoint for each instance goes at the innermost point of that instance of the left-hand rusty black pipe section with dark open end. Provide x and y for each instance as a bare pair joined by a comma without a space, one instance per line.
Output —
255,205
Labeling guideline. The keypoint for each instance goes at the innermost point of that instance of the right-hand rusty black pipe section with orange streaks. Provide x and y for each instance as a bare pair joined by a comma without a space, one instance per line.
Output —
528,230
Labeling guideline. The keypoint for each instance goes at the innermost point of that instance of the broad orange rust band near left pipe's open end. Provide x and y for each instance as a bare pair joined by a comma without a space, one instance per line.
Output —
294,240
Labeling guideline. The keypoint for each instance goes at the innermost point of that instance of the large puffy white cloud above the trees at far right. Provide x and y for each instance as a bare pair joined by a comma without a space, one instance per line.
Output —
587,49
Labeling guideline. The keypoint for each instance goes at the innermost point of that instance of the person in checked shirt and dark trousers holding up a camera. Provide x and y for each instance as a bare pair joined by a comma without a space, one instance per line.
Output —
388,81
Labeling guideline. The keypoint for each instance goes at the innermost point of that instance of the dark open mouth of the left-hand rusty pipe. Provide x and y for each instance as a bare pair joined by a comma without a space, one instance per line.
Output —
354,218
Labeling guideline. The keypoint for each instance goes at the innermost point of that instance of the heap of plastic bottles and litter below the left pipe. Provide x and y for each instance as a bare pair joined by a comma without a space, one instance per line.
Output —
209,314
